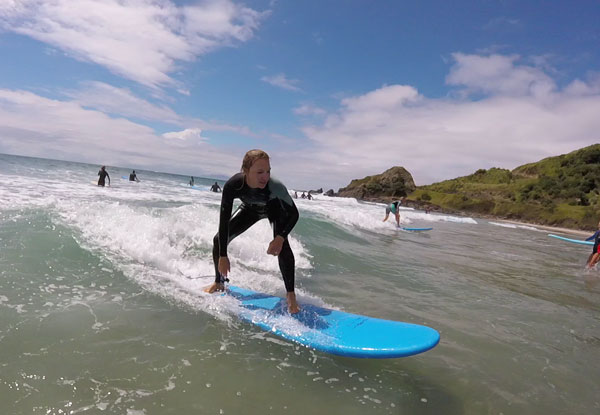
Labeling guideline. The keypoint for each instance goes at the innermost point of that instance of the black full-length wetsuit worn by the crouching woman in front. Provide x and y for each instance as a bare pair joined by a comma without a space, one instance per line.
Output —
272,202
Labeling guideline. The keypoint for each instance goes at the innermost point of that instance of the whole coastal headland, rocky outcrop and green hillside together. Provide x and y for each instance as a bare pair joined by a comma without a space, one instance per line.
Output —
557,192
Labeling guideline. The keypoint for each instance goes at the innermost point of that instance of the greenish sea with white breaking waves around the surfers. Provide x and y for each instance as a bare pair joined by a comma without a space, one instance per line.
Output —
102,309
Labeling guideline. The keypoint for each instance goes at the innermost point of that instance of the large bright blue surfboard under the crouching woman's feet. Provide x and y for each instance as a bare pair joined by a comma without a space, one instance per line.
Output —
334,331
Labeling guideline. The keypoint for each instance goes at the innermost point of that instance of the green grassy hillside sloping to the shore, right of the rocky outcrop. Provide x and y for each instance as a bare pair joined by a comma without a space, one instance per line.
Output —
559,191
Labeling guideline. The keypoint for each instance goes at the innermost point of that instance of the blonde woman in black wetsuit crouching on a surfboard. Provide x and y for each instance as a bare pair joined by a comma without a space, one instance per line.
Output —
262,197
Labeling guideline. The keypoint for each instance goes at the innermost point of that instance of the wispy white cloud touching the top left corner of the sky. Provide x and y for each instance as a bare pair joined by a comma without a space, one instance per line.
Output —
137,39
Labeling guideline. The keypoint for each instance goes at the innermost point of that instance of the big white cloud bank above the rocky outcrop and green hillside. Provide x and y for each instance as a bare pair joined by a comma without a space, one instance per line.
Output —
517,115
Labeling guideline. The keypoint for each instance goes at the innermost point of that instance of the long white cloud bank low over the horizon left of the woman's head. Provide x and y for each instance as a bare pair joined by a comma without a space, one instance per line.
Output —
37,126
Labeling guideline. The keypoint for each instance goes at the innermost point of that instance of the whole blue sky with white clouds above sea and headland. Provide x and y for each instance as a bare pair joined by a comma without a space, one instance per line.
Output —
333,90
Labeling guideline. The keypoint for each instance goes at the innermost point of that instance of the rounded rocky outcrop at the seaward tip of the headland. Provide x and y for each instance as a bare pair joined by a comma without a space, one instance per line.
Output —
395,182
